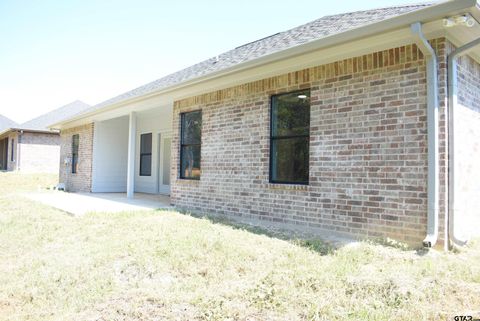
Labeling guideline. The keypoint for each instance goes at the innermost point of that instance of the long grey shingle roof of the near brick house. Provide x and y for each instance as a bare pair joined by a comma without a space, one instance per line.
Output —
315,30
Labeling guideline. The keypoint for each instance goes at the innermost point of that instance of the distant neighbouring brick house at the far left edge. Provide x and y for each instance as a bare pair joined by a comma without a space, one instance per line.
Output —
32,146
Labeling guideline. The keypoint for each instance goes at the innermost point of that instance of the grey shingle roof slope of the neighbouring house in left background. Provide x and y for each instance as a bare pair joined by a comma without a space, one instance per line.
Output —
42,122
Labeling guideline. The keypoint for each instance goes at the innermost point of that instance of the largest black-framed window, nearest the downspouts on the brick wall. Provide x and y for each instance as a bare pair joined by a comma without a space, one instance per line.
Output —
289,138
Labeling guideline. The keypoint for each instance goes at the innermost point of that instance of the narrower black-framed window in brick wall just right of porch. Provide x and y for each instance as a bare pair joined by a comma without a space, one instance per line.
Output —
190,144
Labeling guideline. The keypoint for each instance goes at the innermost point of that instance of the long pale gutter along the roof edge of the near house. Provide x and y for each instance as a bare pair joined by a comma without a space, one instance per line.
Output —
427,14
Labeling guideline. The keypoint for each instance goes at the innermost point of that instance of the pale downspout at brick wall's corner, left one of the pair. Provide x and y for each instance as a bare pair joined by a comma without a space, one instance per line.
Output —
432,133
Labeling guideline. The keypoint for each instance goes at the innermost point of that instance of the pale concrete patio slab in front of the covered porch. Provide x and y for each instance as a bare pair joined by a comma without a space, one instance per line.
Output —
81,203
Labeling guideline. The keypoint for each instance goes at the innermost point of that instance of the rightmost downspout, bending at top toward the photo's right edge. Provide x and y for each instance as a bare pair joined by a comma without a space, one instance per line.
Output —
452,105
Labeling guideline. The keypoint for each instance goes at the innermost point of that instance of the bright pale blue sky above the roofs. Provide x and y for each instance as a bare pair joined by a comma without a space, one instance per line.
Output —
54,52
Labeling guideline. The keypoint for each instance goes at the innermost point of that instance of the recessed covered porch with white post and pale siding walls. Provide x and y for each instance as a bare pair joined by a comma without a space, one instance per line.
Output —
131,152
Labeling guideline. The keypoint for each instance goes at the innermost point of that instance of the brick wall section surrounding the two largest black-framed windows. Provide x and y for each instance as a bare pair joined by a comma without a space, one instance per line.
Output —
368,149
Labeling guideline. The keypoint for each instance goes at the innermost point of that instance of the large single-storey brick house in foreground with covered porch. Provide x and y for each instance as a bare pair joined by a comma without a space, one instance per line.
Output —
343,124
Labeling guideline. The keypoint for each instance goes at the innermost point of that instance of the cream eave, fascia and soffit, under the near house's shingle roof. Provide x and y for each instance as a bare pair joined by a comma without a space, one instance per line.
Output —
390,33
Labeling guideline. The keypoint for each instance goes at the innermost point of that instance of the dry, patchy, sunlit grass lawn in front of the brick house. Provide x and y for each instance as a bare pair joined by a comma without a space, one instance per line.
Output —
157,265
